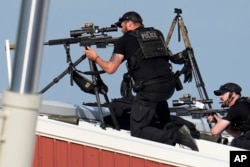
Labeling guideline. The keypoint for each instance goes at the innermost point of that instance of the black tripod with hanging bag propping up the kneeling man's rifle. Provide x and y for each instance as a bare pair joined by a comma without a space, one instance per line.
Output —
96,87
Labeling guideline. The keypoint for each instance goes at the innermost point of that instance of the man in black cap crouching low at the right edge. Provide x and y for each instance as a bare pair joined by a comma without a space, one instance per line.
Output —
237,120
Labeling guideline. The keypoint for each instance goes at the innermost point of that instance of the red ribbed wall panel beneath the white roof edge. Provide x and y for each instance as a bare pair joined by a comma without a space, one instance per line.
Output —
51,152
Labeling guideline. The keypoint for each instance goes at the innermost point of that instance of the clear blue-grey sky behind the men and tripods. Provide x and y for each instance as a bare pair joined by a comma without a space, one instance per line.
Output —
218,32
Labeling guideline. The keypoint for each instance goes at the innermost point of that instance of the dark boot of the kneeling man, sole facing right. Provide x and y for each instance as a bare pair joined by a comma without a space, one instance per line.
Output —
183,136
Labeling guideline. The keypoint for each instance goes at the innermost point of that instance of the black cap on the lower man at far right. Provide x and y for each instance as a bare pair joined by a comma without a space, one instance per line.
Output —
228,87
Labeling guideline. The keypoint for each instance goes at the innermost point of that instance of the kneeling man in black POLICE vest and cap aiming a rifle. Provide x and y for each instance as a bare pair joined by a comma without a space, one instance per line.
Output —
151,76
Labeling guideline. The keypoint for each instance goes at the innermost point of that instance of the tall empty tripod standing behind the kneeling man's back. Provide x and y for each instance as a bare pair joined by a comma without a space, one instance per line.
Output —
195,70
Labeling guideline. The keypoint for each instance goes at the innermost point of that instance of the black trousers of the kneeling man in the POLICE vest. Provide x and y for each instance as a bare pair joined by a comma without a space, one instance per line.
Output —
149,106
